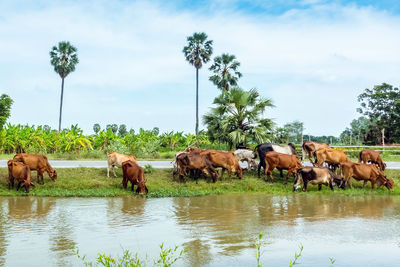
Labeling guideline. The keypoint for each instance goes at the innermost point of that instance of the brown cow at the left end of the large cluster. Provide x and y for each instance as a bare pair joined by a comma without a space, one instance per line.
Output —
197,162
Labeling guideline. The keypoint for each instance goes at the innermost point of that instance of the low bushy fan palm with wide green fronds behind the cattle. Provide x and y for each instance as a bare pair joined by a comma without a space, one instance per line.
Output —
237,118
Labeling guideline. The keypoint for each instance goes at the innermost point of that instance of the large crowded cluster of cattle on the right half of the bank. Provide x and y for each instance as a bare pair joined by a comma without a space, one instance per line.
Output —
196,162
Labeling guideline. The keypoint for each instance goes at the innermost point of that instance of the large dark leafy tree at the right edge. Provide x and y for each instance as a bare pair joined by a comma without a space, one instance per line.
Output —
381,105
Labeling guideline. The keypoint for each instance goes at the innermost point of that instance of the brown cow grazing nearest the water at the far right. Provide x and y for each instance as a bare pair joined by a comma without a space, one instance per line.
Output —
366,173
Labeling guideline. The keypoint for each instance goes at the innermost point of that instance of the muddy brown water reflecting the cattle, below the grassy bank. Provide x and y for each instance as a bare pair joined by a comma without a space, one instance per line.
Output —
217,230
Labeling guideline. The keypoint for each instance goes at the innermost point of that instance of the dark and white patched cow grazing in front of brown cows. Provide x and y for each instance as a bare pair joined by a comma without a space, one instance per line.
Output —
317,176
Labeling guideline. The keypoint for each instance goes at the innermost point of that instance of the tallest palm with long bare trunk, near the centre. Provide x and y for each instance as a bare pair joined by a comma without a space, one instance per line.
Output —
197,52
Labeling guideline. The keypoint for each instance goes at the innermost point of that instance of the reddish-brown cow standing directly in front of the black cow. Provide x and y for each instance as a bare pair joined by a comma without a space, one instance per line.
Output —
281,162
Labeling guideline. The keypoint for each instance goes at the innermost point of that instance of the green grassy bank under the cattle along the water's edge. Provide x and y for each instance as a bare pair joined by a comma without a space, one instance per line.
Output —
92,182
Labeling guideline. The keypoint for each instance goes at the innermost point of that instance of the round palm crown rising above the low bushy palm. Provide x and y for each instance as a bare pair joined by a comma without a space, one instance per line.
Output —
225,71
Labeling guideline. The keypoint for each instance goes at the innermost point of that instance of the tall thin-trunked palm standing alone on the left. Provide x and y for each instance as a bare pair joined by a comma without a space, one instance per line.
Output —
63,58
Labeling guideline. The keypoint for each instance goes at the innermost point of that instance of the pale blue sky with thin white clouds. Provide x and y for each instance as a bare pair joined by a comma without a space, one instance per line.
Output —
312,58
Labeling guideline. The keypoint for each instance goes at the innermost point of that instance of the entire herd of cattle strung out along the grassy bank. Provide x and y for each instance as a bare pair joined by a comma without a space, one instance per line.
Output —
197,162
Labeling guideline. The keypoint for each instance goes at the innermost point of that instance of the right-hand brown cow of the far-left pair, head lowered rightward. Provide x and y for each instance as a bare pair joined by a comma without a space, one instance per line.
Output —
39,163
